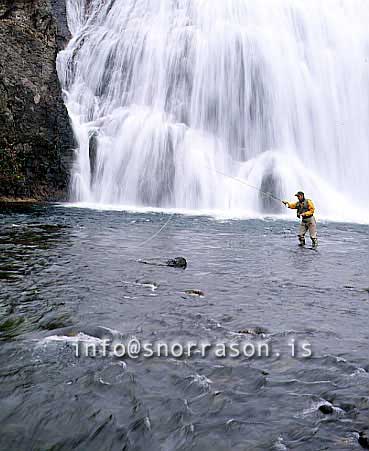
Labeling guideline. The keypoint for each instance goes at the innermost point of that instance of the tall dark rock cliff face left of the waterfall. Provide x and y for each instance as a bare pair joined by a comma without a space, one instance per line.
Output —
36,138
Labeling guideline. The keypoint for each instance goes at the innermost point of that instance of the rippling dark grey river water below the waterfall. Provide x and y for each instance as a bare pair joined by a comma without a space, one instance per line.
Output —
74,274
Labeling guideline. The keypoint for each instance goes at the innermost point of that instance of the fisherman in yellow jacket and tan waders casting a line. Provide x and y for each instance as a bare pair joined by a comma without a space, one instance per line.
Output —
305,210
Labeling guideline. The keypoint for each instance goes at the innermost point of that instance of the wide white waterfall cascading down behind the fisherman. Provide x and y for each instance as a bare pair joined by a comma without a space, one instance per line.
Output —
165,93
